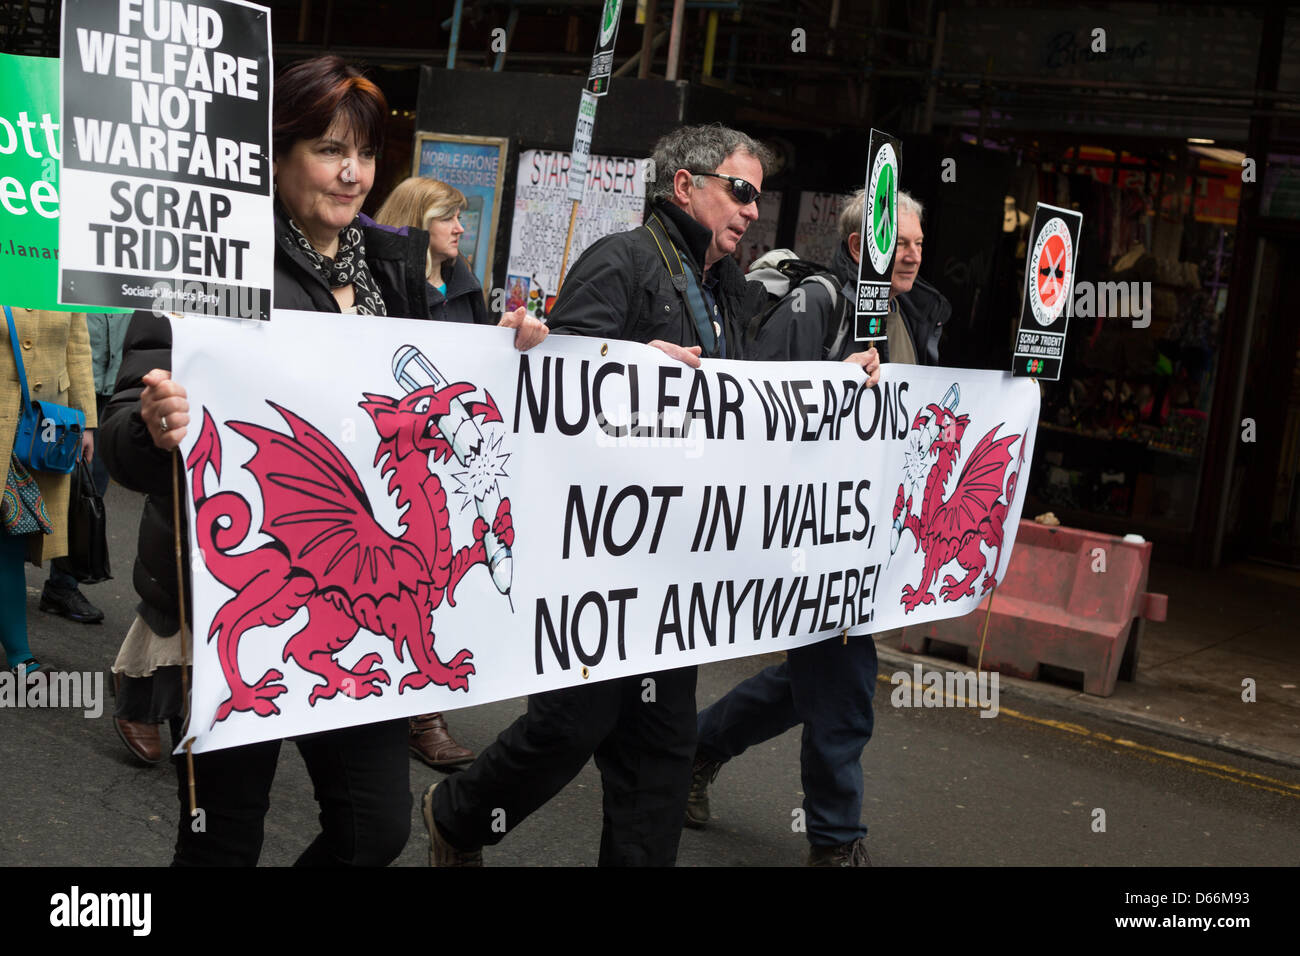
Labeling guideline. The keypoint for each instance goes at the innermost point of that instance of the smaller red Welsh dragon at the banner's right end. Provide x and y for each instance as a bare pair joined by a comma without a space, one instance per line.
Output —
954,529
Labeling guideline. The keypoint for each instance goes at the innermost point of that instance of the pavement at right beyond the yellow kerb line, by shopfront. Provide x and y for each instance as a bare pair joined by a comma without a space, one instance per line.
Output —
1224,626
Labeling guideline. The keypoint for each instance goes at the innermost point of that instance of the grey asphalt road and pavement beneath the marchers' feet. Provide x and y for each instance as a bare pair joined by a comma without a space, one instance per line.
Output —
947,788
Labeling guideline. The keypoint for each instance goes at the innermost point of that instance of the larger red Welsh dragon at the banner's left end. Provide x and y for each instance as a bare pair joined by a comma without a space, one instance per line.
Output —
331,556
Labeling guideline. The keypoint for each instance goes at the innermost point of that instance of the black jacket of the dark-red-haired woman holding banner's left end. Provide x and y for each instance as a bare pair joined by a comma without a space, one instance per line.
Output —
396,261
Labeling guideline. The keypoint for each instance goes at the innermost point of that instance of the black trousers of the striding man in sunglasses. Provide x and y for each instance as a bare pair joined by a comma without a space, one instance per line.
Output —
643,749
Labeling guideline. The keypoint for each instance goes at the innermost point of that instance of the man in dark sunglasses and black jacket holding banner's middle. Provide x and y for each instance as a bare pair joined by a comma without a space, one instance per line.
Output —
701,201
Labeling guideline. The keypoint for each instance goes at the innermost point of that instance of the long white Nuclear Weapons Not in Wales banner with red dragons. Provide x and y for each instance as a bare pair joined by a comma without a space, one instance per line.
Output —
439,521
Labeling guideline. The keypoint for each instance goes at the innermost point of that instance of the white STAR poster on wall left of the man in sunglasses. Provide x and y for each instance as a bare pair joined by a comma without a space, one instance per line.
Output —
614,201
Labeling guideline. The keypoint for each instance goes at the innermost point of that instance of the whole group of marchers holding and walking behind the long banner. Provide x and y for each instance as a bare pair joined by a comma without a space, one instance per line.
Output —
673,284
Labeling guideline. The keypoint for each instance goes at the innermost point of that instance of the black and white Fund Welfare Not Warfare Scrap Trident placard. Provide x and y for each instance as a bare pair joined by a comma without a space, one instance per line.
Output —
167,157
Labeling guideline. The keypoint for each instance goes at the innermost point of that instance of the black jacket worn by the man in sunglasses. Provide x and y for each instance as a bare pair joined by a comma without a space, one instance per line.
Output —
619,288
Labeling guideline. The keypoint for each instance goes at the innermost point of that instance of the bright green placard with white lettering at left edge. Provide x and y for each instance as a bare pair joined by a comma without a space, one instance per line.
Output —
29,184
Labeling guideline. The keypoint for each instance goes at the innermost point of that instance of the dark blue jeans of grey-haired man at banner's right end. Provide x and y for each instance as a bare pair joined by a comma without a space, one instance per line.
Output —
827,687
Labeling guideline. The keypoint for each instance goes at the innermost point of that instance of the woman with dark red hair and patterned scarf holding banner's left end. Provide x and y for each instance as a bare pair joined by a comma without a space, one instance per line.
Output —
327,132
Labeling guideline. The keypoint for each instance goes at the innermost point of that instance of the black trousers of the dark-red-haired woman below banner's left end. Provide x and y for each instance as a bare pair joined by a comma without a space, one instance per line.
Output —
362,778
